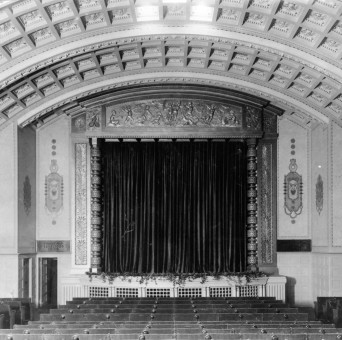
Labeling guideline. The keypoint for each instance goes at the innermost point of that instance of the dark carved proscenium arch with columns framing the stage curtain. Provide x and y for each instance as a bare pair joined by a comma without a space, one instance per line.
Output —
261,238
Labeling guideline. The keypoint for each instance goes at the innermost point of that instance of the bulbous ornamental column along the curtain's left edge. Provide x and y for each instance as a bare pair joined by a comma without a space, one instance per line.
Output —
96,206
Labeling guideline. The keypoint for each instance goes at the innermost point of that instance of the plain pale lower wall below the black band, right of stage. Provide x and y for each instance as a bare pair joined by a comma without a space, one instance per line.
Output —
296,266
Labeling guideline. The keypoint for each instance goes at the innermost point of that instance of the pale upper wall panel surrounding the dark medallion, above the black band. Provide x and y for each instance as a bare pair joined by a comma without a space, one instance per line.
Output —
297,228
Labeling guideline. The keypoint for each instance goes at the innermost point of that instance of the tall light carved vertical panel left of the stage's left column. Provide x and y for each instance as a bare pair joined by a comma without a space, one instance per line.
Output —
80,204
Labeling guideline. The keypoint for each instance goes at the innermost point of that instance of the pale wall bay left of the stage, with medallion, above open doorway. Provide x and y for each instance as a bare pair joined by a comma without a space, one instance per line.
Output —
54,189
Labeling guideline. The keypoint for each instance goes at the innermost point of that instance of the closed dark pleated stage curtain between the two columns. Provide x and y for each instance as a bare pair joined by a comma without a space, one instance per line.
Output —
174,207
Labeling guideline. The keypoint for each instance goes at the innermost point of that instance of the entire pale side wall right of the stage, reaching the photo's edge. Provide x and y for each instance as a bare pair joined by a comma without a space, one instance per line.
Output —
312,261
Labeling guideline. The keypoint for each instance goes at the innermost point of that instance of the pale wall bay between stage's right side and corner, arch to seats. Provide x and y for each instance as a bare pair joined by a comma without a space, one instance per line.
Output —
295,264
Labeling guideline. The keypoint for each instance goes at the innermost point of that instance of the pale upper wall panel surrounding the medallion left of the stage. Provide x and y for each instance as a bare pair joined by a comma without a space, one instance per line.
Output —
60,132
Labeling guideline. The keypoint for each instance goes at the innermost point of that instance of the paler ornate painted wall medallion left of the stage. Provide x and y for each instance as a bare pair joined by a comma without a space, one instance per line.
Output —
53,191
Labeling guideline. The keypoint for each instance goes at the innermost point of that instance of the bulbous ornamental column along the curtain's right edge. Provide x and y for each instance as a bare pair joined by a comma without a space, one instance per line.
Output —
252,193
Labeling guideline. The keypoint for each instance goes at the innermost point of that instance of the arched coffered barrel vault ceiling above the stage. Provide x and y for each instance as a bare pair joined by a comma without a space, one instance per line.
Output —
55,53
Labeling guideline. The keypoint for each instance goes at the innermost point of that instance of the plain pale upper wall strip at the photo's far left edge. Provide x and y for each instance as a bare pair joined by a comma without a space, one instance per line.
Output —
8,191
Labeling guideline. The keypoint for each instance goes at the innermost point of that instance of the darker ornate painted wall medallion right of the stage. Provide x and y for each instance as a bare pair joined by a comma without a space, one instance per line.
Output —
293,185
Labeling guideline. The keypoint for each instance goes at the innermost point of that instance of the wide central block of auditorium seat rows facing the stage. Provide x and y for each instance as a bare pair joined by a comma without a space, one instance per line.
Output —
173,318
